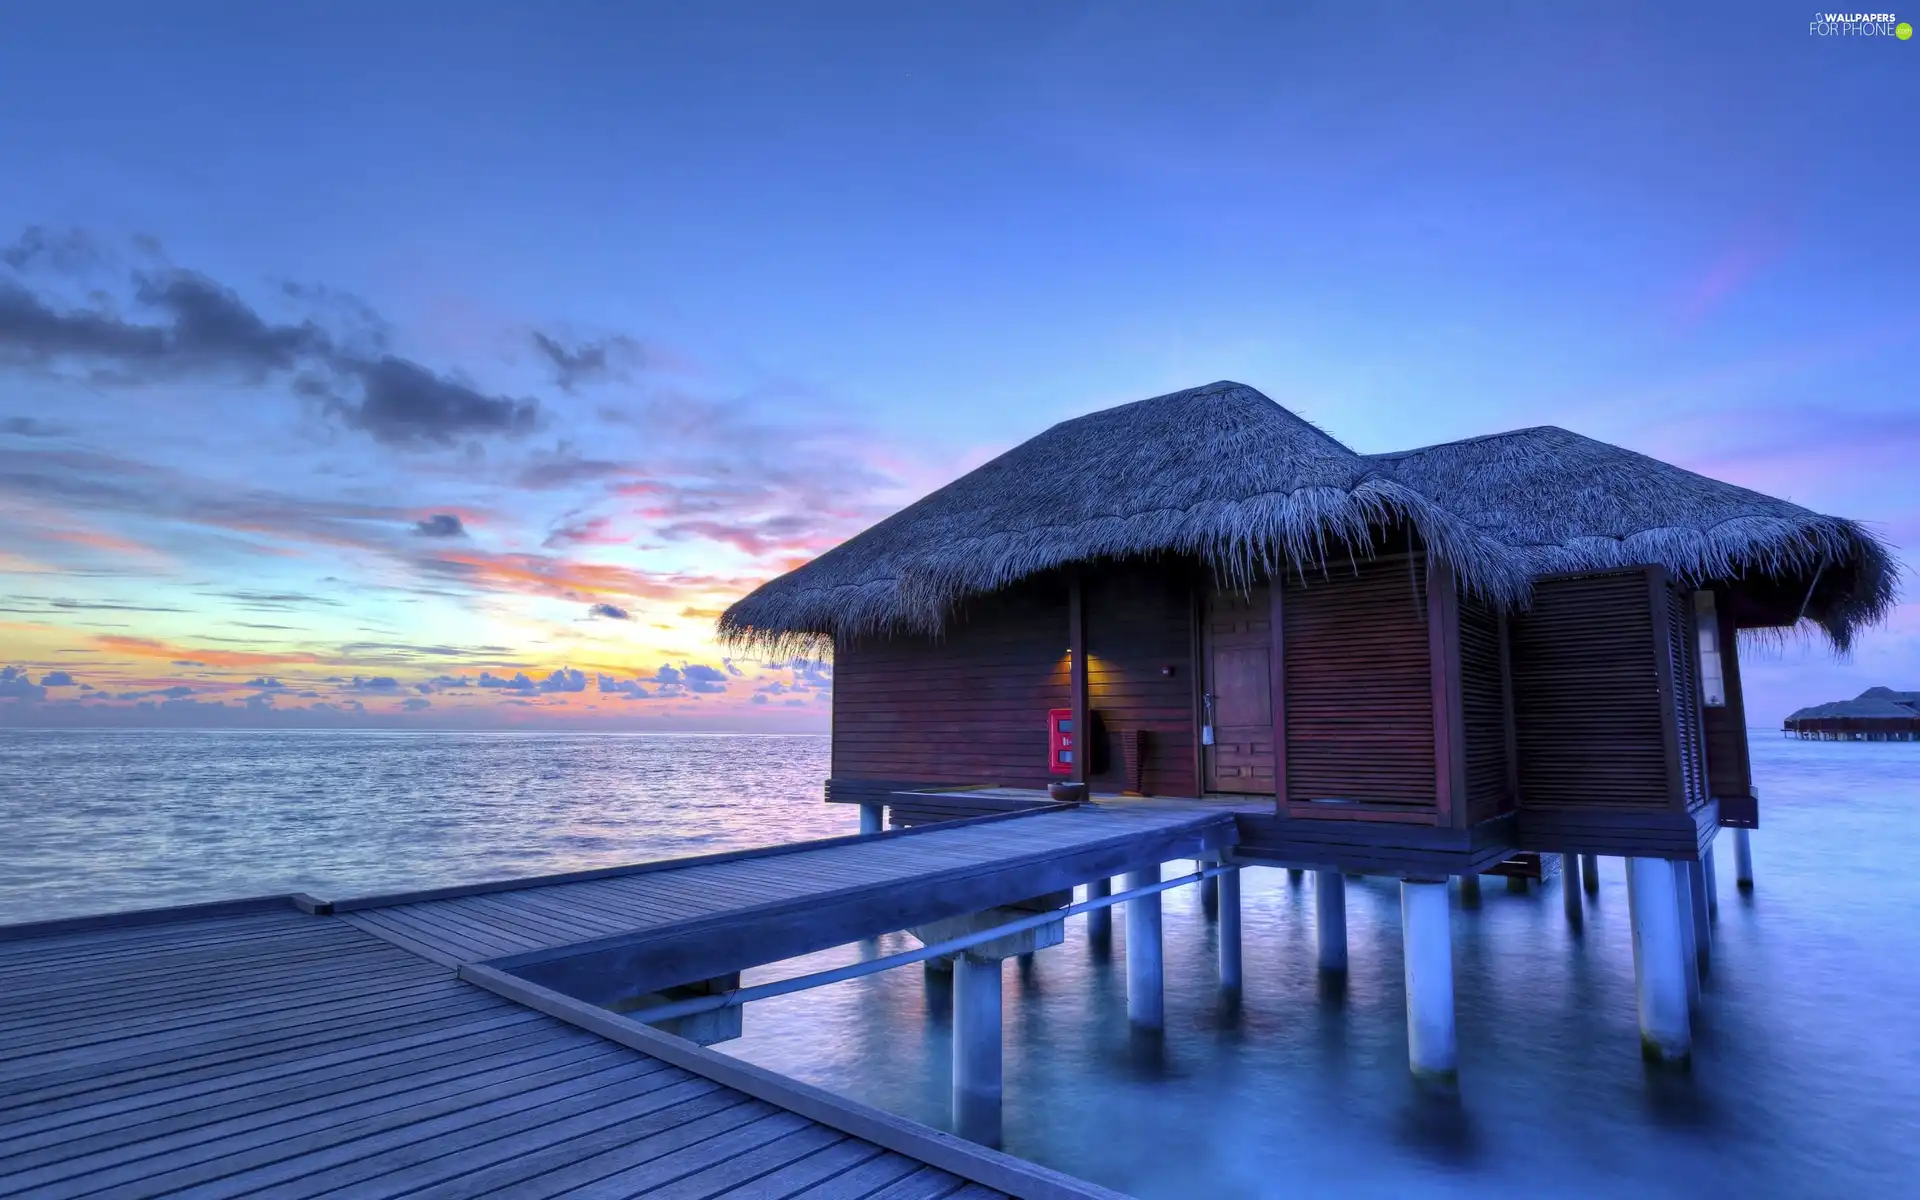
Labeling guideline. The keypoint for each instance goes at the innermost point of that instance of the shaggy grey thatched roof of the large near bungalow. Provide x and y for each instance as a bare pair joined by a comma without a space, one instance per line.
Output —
1226,475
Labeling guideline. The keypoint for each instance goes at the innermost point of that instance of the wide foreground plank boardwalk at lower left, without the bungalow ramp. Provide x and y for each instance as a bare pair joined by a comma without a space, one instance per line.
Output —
320,1057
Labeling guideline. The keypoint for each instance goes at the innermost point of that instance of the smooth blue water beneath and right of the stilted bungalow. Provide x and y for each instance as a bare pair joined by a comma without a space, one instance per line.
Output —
1804,1074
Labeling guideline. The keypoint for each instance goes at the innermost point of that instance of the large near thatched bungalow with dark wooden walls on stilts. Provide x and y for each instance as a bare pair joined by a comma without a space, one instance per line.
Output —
1408,665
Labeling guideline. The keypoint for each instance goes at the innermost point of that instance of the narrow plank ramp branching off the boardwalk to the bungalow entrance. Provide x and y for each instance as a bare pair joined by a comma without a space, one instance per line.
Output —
640,930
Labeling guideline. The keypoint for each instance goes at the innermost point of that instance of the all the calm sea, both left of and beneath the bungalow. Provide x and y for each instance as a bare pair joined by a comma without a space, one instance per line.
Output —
1808,1053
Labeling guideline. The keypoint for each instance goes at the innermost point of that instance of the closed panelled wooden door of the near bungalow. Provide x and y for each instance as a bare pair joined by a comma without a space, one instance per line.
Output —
1237,642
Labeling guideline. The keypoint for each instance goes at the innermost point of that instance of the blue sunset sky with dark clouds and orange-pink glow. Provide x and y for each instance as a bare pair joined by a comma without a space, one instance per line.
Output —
452,366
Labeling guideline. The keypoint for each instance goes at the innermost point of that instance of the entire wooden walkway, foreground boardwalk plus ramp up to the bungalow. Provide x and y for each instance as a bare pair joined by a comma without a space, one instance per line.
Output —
412,1045
